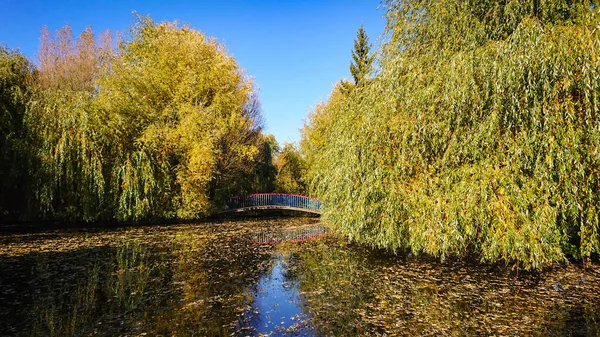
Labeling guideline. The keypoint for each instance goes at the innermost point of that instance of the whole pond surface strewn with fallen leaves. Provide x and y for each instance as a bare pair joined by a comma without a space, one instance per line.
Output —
217,279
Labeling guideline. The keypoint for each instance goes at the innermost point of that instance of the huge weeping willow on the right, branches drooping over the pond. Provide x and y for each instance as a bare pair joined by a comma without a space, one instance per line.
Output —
480,135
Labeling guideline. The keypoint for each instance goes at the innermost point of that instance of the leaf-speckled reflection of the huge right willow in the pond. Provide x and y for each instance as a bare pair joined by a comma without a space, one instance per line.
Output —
354,291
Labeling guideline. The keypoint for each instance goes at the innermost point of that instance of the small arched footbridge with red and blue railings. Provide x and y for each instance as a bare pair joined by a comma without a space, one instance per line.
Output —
266,201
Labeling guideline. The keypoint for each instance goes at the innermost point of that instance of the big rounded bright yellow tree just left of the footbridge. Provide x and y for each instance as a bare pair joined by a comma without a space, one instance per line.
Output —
177,106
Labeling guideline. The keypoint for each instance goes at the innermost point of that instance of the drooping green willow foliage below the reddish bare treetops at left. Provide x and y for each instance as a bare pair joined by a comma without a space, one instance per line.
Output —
69,181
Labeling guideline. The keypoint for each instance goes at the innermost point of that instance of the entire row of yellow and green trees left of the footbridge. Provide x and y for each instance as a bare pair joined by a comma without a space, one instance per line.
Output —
161,123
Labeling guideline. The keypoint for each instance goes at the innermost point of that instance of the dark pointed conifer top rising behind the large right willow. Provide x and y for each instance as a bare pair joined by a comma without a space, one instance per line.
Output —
361,67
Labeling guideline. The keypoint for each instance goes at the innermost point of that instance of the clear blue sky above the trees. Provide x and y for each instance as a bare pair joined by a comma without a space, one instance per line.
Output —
294,50
